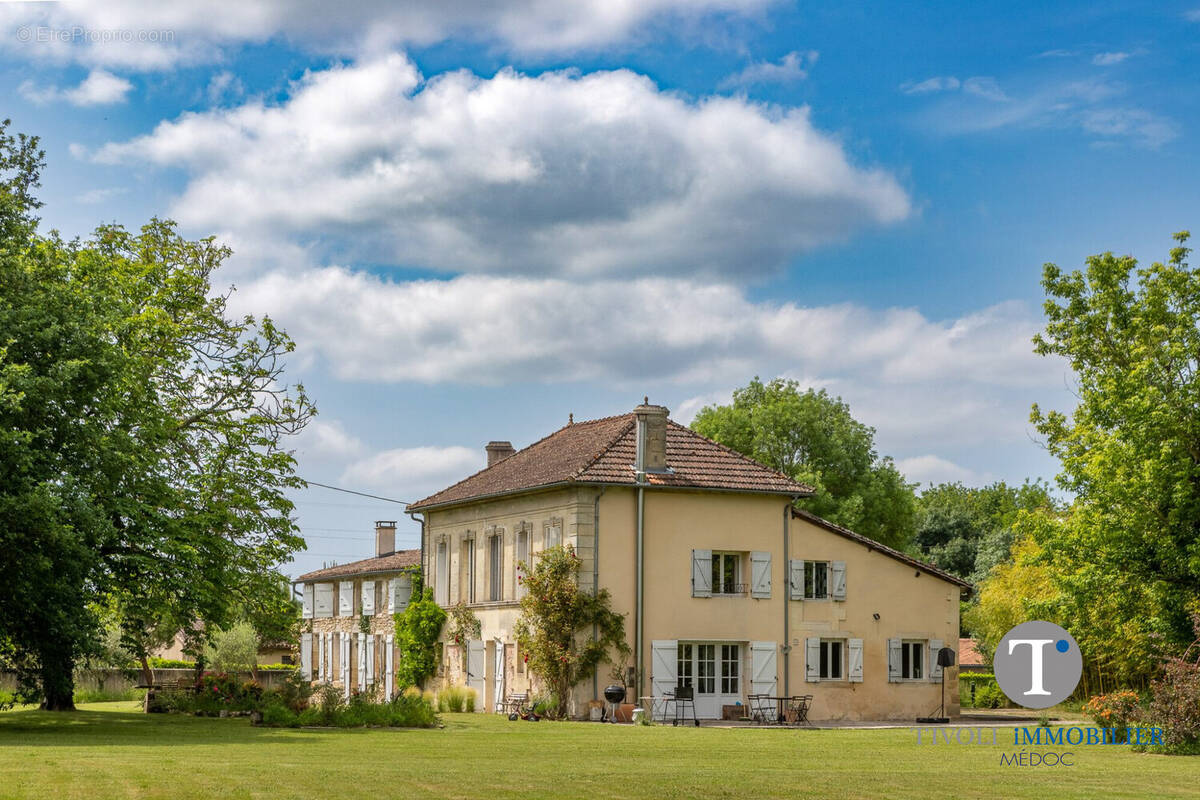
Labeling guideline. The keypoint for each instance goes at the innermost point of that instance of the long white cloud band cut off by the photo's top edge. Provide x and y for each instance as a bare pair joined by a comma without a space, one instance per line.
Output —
154,35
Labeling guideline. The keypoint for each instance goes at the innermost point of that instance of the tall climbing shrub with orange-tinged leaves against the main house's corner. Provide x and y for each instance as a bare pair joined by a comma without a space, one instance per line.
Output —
557,621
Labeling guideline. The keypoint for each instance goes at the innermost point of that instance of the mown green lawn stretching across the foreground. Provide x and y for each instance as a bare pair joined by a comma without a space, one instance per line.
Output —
112,751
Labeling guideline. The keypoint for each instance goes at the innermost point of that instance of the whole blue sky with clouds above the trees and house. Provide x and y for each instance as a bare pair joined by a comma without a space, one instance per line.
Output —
476,219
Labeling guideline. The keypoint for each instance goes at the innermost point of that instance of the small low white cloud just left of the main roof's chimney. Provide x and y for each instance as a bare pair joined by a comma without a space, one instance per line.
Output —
415,473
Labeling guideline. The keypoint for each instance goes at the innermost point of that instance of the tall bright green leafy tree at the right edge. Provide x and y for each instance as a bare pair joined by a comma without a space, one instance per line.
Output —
1131,449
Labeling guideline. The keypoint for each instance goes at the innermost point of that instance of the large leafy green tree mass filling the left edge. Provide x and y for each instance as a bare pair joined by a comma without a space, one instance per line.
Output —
142,432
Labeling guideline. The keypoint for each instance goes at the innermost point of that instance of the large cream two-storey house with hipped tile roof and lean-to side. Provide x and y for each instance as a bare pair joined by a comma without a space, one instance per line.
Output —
725,586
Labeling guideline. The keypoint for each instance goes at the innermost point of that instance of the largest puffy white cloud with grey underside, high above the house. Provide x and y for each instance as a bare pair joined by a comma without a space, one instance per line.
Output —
584,175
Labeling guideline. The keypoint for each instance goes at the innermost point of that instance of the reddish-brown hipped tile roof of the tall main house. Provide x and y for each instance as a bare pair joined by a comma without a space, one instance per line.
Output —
602,452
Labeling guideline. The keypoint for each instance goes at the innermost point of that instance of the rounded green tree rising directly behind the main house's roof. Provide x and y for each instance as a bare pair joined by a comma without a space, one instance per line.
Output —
813,438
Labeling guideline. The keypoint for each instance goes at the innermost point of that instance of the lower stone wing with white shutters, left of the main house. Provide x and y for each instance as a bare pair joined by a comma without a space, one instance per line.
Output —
347,615
